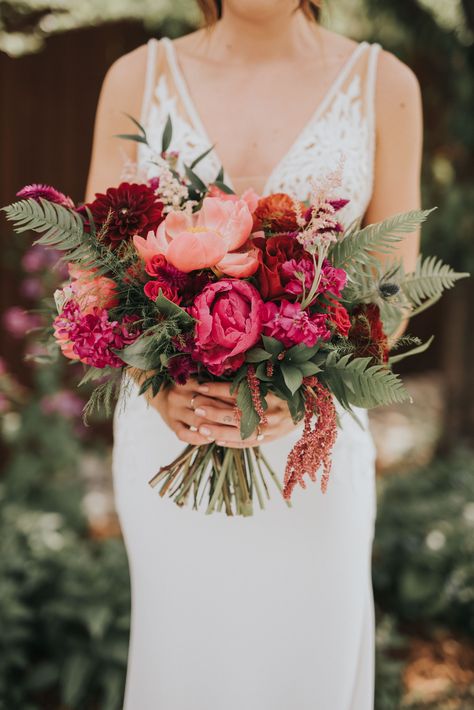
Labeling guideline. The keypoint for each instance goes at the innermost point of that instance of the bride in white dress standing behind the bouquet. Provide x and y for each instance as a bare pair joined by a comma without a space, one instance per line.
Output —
275,611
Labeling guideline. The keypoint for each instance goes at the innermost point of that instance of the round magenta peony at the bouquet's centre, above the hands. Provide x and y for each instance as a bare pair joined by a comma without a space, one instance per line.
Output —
228,315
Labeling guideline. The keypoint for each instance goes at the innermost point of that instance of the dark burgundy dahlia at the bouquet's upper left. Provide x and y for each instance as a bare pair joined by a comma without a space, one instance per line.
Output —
135,210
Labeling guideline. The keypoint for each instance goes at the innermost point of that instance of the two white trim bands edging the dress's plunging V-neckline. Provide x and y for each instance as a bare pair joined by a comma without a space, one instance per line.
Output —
190,106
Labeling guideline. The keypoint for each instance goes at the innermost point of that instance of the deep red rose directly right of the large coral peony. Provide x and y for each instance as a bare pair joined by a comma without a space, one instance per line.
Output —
274,251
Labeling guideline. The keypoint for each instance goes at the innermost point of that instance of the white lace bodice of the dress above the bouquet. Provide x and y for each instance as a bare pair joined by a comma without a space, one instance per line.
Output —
341,131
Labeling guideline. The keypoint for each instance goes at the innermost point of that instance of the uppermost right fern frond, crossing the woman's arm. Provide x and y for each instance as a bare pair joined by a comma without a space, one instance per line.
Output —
354,249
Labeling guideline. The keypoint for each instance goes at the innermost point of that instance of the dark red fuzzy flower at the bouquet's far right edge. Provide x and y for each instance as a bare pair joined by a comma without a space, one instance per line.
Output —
367,333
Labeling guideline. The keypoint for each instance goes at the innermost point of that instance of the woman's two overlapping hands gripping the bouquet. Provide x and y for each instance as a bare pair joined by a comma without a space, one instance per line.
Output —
200,414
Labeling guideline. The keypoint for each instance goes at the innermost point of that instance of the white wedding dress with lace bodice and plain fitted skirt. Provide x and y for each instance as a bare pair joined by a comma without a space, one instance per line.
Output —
274,611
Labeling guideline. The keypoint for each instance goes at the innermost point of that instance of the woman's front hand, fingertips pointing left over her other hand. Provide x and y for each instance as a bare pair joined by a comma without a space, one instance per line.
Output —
223,426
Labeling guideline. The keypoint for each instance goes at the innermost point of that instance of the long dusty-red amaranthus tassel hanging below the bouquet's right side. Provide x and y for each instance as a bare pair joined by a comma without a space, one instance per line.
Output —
315,446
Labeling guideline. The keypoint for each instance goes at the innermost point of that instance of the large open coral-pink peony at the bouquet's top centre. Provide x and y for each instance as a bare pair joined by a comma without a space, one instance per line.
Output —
202,240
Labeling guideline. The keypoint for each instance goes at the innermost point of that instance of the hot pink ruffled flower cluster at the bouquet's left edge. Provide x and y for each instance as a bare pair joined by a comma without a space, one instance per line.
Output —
91,337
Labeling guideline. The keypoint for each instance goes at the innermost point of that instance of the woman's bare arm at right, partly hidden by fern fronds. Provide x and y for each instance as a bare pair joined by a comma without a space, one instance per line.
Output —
399,136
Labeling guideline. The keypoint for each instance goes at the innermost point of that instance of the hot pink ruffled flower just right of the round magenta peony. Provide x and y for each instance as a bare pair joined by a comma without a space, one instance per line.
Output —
292,326
